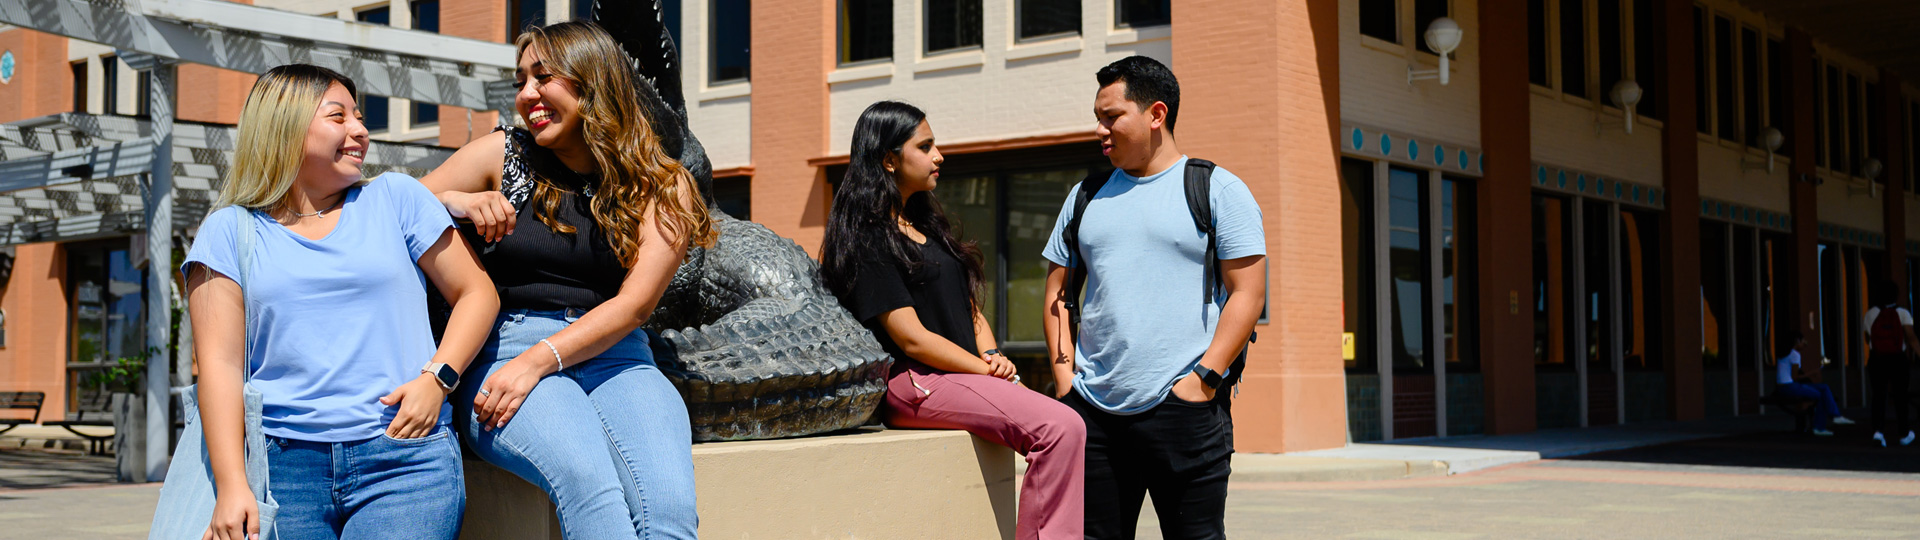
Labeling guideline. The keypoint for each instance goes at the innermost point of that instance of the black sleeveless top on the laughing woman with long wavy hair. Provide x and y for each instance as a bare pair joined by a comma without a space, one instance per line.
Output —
537,268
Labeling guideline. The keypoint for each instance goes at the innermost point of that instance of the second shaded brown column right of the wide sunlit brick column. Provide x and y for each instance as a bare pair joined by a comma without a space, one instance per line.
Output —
1681,222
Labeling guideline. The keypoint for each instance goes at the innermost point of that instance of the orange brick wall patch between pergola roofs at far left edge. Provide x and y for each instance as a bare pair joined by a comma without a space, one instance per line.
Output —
41,84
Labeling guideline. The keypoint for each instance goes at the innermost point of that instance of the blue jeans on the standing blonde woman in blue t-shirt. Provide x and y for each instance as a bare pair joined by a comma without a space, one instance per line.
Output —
370,489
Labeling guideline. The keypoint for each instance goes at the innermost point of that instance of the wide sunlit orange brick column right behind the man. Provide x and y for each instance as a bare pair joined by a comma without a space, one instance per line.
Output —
1274,124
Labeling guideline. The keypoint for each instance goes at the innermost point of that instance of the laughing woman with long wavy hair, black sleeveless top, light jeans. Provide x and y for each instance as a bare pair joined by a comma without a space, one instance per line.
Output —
565,393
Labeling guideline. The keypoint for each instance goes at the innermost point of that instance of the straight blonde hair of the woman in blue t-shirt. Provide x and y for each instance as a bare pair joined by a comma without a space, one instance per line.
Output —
274,135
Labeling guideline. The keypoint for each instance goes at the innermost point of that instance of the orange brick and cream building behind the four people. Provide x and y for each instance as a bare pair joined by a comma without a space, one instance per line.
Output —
1518,249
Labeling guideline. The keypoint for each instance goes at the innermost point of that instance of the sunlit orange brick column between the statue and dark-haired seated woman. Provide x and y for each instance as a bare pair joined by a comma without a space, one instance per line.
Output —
794,49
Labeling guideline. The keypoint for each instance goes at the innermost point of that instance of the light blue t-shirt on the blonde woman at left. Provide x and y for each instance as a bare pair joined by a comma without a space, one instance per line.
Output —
335,324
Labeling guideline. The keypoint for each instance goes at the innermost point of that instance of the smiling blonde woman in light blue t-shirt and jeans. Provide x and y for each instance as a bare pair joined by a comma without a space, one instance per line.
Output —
331,326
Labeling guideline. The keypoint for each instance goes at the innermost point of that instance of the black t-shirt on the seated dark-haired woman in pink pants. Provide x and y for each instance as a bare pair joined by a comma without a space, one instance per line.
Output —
938,293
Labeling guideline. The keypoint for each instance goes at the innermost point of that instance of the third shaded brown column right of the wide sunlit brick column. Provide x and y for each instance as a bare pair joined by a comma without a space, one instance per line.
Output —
1806,255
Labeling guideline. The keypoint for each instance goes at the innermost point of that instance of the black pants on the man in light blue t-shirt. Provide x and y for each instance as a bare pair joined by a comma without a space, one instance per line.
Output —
1180,453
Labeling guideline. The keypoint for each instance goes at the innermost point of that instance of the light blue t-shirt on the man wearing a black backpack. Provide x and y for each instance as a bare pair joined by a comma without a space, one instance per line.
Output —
1143,324
